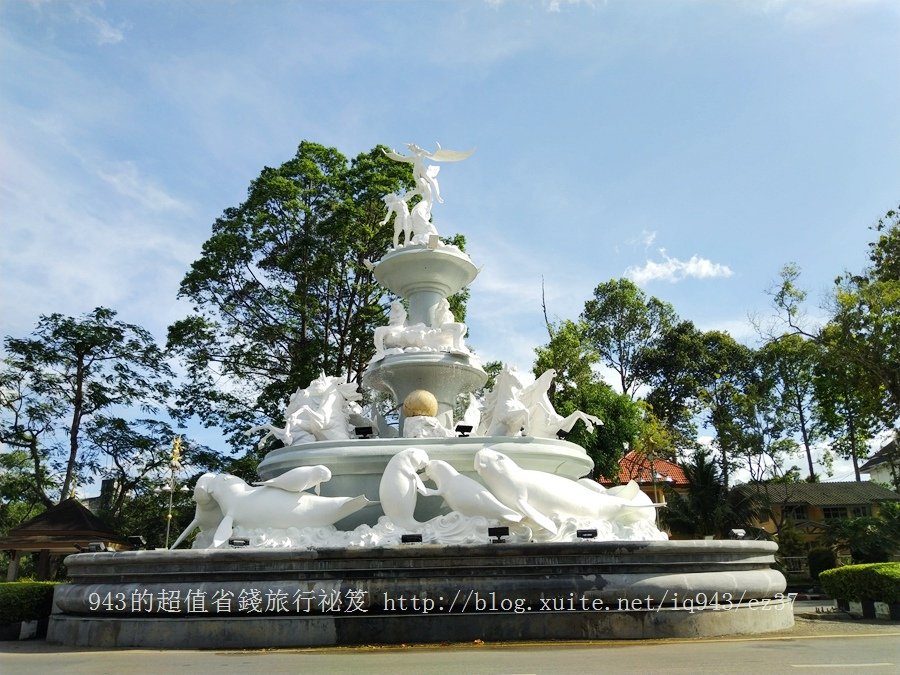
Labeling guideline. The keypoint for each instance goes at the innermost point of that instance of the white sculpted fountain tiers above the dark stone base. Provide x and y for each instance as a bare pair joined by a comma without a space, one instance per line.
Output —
513,470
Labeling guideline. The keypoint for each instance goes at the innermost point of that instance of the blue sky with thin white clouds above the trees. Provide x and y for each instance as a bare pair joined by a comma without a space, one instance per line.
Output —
696,146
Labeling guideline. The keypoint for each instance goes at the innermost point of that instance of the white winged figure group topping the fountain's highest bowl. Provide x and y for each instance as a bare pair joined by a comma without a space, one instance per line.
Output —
416,223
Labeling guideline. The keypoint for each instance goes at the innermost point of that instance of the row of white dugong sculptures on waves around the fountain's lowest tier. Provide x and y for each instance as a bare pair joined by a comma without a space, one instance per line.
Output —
536,505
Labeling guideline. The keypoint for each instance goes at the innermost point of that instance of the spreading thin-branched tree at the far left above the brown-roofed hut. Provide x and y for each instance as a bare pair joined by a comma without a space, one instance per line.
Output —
63,377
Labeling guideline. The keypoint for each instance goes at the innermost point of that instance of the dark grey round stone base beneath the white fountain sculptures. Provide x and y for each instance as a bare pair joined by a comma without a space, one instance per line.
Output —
256,598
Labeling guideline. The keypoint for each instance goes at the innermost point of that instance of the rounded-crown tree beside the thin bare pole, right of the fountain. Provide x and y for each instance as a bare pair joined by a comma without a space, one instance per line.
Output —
622,322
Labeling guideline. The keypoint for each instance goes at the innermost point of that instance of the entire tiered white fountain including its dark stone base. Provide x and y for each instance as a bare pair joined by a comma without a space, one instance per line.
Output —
507,532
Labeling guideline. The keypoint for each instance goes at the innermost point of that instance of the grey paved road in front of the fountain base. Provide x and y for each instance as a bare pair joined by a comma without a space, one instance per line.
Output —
819,641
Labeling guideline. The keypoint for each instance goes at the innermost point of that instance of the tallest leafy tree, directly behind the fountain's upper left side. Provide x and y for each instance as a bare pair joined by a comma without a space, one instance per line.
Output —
283,290
